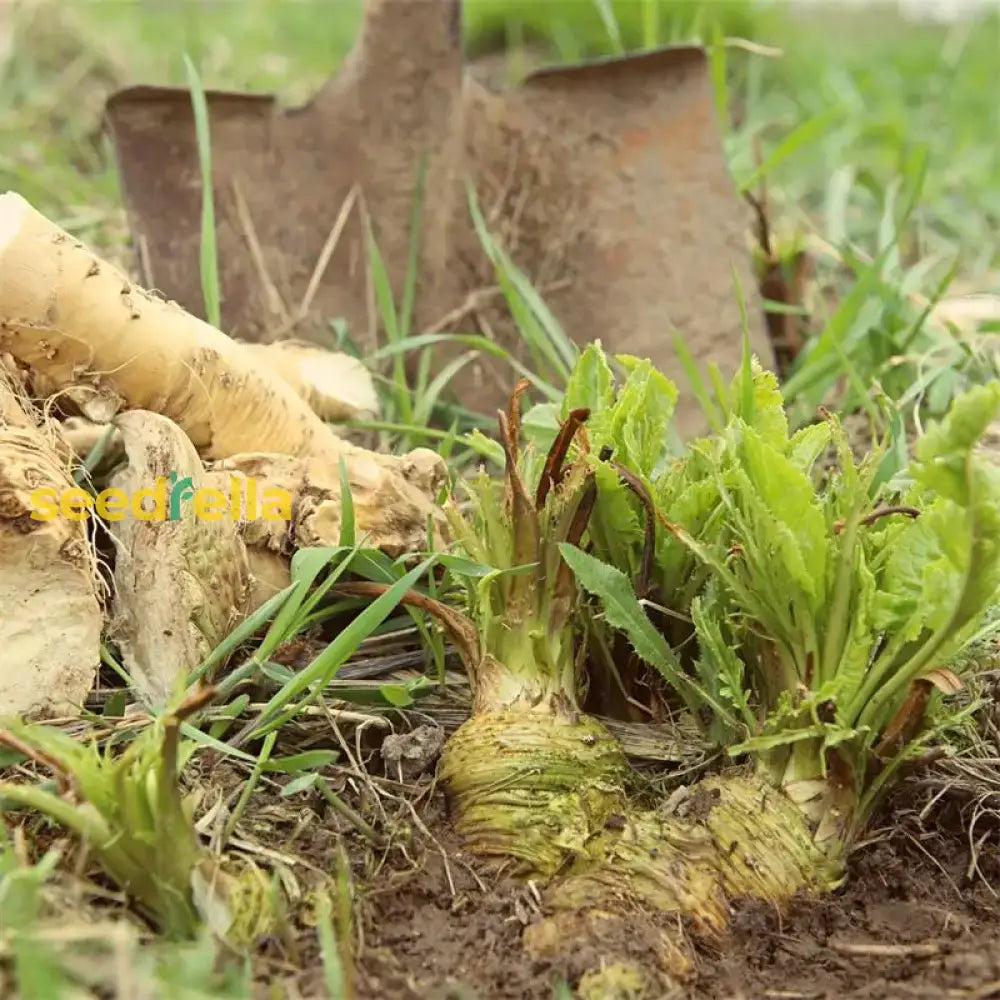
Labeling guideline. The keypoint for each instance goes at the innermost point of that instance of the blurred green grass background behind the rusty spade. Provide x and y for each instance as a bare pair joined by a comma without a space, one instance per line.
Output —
876,134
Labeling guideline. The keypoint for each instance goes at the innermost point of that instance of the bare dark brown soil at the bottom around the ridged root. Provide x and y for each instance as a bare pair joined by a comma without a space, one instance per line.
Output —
908,924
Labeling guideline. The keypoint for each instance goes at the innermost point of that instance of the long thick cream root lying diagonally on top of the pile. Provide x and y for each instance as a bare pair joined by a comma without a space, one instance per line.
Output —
85,329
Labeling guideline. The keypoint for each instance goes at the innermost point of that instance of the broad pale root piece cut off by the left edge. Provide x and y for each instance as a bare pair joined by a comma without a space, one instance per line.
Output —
50,624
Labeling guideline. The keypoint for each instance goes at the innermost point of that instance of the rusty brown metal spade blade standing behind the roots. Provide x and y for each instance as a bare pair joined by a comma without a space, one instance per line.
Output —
606,182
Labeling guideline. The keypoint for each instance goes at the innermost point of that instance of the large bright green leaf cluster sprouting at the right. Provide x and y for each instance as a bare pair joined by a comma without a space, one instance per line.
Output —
825,604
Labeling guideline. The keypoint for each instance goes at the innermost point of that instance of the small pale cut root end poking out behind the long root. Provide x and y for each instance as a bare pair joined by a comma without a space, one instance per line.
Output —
336,386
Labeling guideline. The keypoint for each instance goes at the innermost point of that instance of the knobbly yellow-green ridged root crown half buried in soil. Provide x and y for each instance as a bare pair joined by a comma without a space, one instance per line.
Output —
552,793
